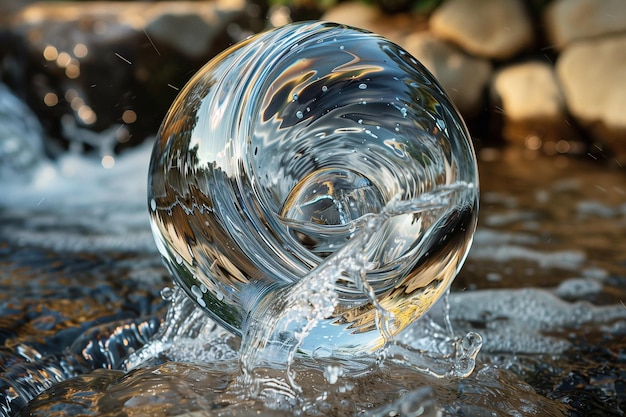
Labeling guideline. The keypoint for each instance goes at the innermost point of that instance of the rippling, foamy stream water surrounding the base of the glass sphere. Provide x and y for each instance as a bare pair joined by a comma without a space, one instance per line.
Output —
91,325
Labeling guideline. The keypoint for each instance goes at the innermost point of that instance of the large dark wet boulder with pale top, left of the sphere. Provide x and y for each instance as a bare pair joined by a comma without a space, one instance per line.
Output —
113,67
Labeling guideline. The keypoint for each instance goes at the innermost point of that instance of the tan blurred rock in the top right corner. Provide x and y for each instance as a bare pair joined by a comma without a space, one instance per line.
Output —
569,20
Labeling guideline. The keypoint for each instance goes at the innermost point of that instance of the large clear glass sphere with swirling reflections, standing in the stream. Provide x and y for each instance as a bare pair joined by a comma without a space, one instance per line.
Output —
274,153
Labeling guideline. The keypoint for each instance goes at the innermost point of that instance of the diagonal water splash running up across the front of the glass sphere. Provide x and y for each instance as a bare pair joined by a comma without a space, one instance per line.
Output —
287,320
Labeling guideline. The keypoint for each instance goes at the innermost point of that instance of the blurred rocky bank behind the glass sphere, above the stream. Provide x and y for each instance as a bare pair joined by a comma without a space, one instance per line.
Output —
544,74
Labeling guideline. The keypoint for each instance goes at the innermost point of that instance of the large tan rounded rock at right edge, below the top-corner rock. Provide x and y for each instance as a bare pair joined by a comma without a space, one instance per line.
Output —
592,77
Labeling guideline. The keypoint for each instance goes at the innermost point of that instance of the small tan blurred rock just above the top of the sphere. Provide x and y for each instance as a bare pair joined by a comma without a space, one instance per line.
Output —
361,15
